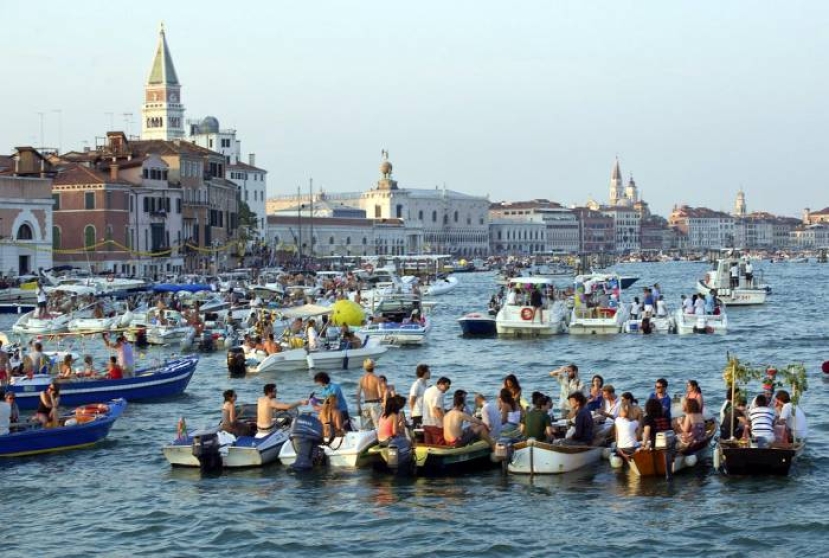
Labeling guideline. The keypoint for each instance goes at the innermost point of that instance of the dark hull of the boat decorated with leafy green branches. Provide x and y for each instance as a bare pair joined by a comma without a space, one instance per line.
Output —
739,457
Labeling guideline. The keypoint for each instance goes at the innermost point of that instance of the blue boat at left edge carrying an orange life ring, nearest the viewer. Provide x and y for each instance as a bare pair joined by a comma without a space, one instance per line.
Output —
82,428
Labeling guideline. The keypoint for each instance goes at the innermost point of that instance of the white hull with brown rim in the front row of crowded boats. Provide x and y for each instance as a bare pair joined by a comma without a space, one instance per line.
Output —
539,458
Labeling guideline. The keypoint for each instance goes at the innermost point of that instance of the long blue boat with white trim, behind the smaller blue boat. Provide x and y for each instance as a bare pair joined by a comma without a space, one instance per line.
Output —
166,380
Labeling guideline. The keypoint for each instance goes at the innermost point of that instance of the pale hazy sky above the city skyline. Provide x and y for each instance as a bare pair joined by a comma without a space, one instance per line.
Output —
512,99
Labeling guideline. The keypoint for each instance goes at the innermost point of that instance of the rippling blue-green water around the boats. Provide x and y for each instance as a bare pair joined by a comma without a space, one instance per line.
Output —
121,498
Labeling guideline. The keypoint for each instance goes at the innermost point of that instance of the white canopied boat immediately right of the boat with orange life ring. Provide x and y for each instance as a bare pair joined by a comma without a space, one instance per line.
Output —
605,313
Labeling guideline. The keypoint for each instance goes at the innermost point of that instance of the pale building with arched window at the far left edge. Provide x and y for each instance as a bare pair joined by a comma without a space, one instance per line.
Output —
25,214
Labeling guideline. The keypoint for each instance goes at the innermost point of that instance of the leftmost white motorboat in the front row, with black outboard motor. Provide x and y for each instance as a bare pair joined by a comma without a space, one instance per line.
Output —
234,451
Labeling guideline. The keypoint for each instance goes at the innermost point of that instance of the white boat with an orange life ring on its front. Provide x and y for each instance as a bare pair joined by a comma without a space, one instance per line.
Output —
520,319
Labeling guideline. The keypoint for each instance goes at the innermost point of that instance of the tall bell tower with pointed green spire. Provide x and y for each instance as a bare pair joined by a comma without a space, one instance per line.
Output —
162,116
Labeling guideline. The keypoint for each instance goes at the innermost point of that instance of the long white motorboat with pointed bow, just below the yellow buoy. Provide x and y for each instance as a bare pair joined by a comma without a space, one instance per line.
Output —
300,359
